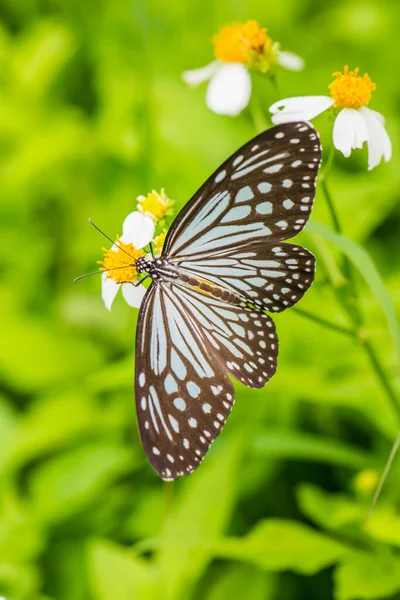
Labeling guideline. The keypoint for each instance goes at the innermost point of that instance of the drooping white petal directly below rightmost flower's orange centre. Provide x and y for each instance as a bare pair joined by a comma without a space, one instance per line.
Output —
349,131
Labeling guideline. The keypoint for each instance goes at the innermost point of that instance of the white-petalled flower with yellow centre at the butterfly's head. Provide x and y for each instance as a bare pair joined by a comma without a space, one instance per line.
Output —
137,232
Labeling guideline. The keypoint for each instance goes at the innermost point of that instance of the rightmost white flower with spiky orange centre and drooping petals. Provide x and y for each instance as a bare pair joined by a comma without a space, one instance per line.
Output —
354,124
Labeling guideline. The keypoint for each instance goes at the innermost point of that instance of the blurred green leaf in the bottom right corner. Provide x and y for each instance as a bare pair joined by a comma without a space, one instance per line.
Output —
367,576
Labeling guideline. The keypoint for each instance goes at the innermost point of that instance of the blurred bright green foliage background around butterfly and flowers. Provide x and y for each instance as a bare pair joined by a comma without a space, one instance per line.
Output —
93,113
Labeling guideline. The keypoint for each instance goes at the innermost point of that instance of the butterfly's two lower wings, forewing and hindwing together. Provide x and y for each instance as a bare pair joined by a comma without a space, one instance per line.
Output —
186,343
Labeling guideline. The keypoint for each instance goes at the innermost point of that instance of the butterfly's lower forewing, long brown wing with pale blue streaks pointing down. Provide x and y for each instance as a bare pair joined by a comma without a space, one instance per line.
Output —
183,396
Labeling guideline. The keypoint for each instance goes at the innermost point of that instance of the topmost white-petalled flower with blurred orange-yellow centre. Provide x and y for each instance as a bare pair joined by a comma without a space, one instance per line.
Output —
239,47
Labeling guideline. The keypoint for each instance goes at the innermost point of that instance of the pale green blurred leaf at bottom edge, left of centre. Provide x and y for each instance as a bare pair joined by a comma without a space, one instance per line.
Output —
118,574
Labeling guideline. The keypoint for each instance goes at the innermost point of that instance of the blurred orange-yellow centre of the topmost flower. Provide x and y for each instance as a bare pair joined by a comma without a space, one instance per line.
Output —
234,43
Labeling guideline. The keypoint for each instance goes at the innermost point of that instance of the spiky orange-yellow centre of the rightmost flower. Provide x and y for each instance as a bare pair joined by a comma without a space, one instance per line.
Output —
349,90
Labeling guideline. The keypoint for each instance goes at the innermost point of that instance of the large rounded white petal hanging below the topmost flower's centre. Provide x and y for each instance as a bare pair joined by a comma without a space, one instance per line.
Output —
229,90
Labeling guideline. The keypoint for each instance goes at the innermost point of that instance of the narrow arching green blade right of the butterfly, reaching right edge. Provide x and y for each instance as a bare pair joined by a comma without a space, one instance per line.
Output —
362,261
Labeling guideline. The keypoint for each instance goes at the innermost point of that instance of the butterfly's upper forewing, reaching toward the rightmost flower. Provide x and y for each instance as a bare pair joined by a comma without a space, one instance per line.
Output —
265,191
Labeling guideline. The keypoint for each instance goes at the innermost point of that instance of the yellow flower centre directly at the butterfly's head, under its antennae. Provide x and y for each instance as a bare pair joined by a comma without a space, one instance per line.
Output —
121,262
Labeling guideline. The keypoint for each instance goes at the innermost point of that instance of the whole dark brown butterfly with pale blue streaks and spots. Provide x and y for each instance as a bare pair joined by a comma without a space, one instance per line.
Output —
223,266
